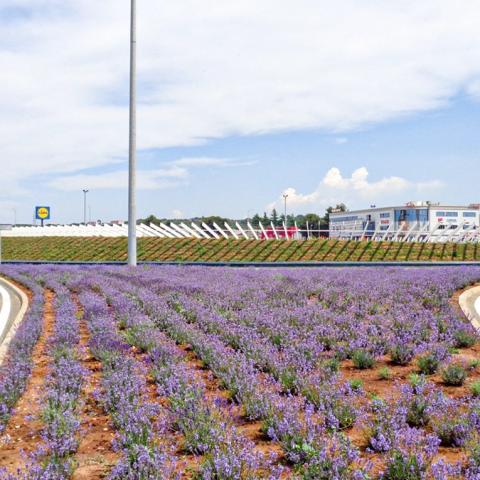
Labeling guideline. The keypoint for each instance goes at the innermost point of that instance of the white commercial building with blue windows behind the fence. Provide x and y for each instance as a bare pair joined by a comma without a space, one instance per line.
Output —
415,221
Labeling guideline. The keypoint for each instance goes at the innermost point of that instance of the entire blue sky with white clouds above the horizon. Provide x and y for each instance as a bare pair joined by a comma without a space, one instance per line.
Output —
356,102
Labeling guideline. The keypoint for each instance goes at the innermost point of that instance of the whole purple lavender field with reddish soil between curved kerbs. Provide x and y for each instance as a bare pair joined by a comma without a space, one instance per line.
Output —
226,374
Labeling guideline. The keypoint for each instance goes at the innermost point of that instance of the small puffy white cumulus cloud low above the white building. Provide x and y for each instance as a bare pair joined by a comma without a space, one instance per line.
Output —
355,191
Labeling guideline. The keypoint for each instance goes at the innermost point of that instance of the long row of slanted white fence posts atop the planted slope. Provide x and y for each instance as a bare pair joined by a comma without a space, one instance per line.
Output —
459,234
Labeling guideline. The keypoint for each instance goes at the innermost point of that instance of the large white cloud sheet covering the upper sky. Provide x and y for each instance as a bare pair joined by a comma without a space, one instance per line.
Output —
211,69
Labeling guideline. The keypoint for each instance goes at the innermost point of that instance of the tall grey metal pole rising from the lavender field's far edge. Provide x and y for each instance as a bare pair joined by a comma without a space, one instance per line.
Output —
132,215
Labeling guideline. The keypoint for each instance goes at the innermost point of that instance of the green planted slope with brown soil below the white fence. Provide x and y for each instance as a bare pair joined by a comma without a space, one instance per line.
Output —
187,250
